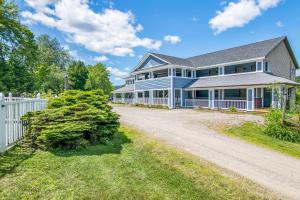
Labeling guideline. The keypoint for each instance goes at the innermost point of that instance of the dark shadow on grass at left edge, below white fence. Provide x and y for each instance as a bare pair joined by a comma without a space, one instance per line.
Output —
14,157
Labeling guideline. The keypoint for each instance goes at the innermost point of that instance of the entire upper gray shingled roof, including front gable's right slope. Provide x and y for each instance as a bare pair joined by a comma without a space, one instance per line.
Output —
244,52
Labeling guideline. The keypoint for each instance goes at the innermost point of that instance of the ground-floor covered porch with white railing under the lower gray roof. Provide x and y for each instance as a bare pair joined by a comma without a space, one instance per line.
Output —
240,98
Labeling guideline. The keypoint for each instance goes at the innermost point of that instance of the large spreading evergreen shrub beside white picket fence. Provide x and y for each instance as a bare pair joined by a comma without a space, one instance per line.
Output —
74,119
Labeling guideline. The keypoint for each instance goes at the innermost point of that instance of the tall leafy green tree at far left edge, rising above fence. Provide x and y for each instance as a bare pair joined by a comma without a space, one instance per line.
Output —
17,51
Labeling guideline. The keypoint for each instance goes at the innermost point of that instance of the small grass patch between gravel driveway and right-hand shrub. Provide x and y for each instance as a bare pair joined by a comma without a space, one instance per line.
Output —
253,133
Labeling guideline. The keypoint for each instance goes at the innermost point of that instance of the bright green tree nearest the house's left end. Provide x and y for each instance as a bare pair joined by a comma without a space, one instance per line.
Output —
98,78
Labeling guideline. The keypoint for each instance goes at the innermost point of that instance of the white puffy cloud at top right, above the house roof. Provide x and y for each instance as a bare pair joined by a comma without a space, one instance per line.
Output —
237,14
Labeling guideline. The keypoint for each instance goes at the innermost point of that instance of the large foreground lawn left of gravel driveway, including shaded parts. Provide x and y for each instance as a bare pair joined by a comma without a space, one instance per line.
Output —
131,166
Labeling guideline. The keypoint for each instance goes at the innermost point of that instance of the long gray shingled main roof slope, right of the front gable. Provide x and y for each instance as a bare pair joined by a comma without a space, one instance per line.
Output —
244,52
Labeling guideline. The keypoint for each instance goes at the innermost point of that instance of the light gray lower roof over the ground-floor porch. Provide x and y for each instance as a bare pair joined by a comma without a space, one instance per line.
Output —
259,78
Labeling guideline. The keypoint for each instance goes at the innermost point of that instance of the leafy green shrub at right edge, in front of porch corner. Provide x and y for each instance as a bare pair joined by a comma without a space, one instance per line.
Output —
274,127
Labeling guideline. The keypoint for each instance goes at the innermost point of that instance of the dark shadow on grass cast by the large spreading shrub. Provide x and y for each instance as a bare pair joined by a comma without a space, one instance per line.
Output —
113,146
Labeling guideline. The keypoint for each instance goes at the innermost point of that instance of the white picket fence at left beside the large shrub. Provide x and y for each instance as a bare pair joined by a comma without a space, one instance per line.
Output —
11,110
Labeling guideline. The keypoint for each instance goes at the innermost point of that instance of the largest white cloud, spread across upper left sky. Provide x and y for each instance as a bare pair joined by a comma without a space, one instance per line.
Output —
110,31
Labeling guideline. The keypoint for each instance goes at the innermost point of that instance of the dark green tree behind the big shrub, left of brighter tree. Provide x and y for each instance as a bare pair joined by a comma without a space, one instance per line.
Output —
78,74
